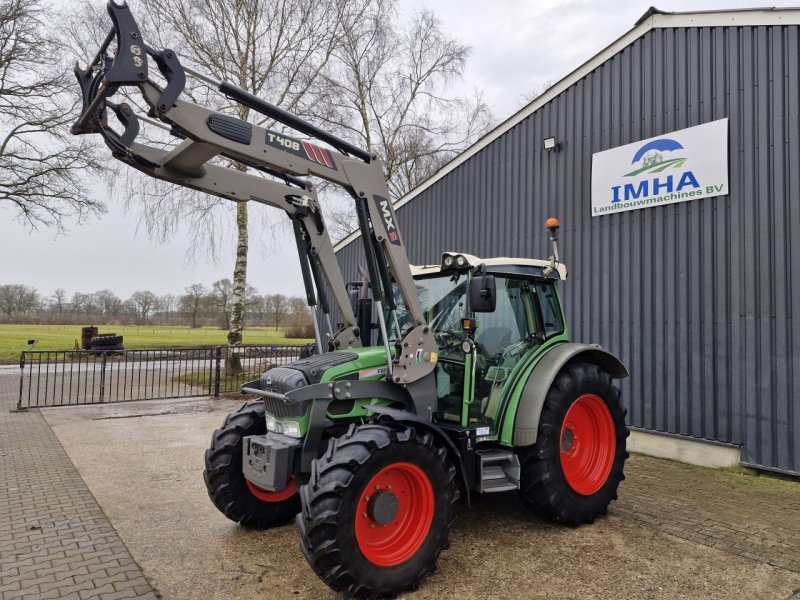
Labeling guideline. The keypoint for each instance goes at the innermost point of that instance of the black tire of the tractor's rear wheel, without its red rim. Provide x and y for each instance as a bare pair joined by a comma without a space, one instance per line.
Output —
544,486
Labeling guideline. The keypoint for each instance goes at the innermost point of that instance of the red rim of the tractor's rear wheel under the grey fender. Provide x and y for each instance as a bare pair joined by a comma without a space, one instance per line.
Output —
588,444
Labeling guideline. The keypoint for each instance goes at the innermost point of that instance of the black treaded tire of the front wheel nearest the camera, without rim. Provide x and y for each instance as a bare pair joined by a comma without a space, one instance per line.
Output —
331,500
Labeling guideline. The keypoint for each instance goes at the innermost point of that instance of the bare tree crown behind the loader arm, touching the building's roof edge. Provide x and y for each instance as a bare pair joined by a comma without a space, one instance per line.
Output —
391,87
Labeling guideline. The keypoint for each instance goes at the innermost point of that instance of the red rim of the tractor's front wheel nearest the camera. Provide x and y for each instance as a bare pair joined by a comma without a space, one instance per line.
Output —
391,543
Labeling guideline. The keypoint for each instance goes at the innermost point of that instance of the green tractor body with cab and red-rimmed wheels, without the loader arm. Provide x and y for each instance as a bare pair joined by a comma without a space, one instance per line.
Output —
373,480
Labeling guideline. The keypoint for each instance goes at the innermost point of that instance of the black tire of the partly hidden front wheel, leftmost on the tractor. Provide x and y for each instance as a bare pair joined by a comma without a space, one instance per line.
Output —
225,481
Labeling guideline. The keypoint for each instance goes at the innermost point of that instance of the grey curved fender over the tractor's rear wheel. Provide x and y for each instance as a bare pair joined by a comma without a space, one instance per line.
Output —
531,401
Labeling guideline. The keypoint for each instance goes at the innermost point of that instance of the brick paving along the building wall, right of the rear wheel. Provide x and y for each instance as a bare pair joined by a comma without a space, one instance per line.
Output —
754,517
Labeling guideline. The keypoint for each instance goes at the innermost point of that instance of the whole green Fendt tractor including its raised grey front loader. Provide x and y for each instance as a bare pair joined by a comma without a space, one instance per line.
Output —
439,382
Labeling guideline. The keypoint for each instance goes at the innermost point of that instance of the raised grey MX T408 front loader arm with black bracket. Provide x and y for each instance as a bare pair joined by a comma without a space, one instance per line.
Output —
206,134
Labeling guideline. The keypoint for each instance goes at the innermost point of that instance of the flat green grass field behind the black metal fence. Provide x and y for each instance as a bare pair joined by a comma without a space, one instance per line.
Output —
14,338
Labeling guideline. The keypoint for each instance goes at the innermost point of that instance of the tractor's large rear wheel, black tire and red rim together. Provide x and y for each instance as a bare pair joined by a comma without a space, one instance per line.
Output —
572,472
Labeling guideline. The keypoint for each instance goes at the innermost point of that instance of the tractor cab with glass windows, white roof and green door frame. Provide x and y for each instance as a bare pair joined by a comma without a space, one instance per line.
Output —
488,316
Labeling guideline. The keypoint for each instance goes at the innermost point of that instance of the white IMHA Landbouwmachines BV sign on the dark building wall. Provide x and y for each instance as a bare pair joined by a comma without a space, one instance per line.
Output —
680,166
